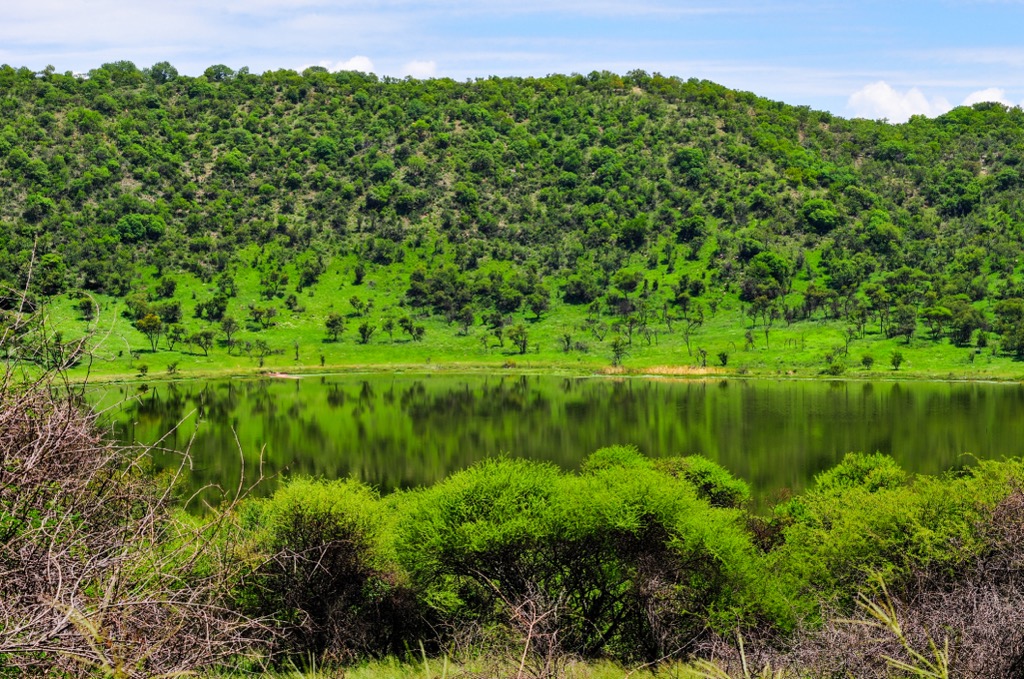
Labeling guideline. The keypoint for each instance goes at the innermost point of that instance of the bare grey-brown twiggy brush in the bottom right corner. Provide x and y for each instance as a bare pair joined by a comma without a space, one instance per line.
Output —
978,609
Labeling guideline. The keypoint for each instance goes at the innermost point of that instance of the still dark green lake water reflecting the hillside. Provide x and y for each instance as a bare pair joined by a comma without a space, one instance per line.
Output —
404,431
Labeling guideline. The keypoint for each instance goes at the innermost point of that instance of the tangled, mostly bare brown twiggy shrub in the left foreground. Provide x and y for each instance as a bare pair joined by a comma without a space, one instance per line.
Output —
98,575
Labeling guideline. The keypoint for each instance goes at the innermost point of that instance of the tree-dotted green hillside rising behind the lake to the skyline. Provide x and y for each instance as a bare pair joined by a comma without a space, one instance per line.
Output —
235,221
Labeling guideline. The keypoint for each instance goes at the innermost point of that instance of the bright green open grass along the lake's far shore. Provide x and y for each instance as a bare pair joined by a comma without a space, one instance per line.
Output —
301,344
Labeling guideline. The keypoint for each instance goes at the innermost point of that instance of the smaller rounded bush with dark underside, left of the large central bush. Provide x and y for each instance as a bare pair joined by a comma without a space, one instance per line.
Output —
323,571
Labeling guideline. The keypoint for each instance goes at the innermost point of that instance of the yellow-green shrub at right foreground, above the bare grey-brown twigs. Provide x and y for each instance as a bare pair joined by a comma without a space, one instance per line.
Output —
868,517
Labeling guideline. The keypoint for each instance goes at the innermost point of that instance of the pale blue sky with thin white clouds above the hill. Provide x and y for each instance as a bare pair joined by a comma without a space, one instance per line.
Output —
866,59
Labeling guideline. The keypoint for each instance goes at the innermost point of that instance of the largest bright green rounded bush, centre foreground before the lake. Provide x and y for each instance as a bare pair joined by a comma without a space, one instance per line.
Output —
621,560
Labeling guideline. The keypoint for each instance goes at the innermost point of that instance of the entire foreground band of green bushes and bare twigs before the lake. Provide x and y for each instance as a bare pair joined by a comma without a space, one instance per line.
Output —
506,569
